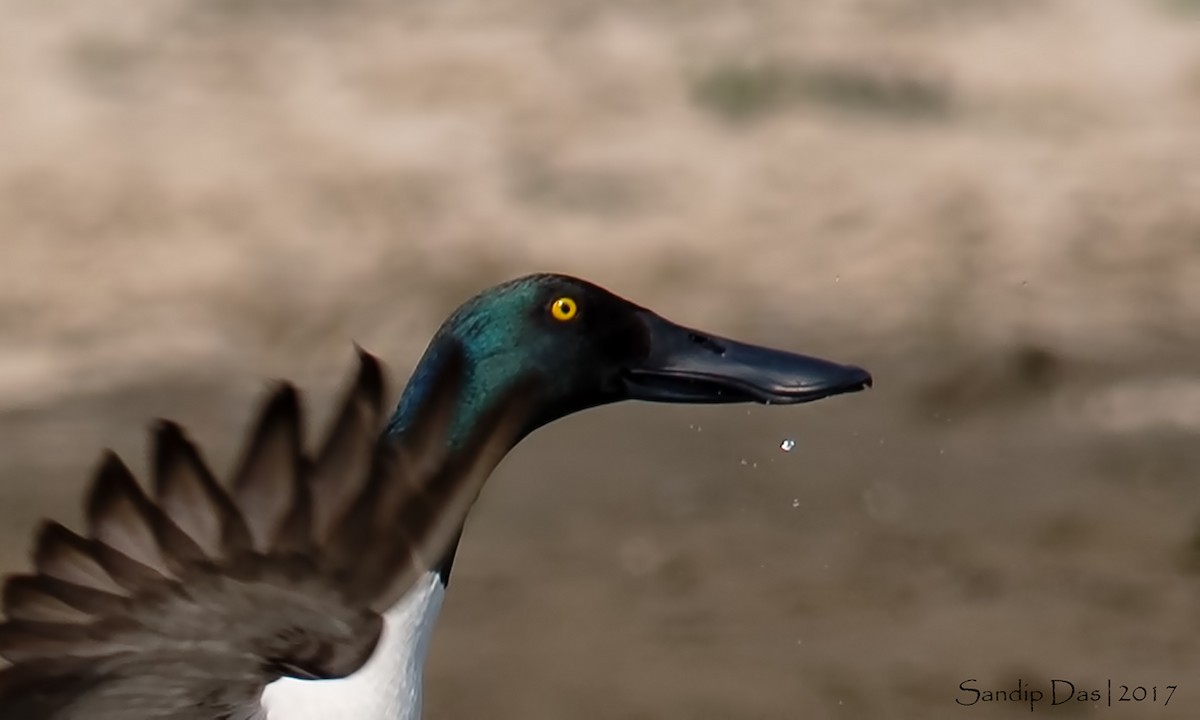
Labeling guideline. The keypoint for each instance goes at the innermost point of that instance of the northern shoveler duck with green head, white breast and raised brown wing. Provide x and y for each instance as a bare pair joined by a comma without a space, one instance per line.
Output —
309,587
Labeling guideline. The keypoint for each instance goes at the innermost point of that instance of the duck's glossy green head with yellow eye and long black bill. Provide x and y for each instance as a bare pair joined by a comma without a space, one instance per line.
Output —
590,347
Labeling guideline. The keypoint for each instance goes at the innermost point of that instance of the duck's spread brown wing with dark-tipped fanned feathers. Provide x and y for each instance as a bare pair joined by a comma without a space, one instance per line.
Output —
187,602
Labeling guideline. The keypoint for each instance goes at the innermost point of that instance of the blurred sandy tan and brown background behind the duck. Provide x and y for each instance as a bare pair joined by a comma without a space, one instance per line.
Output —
993,205
